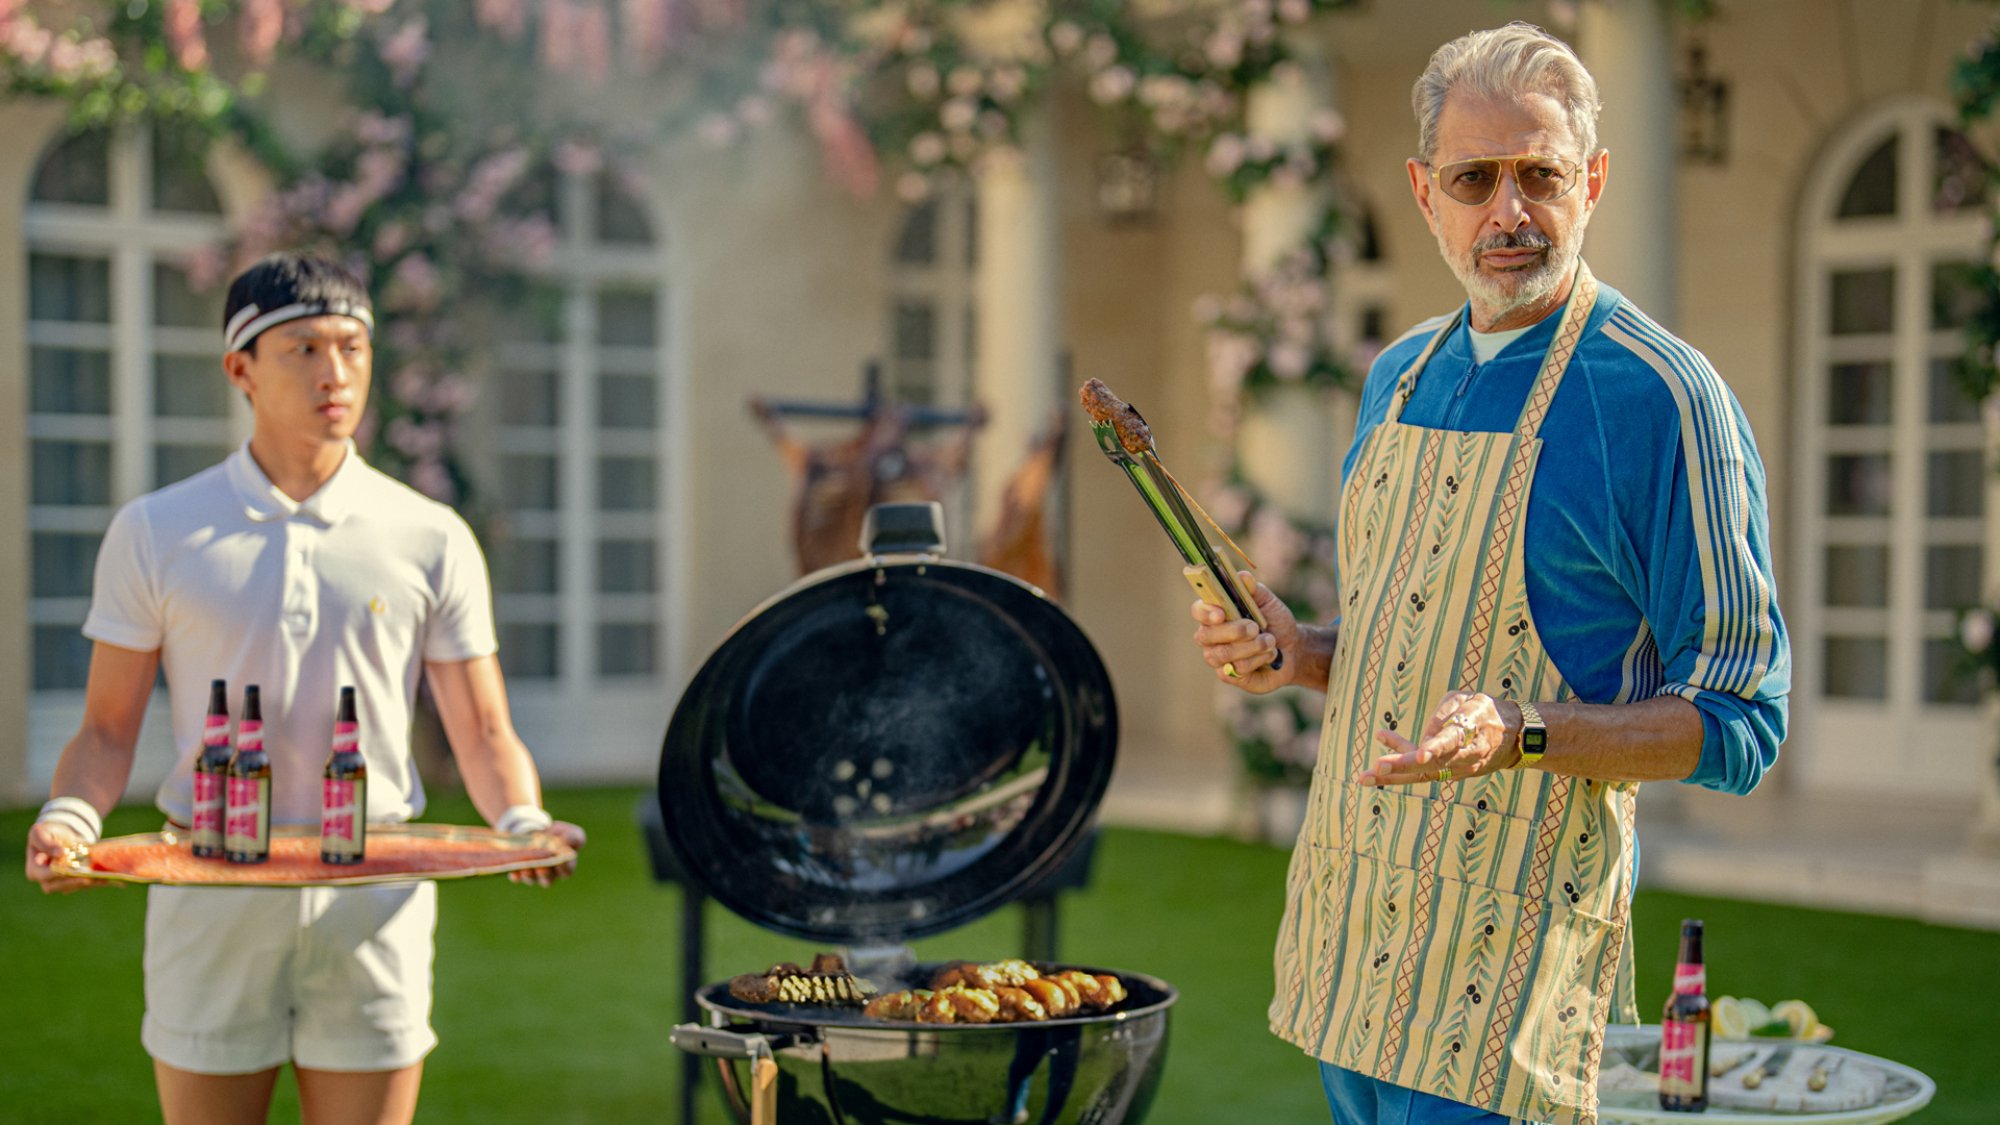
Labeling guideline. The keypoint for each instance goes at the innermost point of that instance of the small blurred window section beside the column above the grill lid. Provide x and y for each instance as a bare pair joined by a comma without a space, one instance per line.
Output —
933,321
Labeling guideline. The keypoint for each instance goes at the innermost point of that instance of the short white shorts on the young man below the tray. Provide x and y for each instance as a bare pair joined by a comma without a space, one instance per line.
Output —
329,978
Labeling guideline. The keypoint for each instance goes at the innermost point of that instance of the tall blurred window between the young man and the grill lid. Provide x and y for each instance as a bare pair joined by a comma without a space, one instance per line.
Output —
581,419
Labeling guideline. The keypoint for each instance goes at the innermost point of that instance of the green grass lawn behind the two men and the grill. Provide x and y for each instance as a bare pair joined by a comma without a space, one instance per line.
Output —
553,1006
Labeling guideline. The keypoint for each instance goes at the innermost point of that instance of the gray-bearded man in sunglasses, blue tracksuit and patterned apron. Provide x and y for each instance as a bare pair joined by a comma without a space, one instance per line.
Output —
1555,584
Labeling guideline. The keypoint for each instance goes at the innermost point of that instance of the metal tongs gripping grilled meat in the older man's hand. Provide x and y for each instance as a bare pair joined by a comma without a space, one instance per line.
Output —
1127,441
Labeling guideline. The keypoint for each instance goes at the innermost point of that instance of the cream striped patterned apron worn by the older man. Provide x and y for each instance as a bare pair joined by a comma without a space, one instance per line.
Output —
1465,940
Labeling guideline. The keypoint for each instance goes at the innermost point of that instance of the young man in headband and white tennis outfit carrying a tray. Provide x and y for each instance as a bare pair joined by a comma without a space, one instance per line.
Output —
297,568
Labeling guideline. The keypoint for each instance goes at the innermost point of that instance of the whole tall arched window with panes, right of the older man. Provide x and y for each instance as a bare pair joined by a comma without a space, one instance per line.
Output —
1891,473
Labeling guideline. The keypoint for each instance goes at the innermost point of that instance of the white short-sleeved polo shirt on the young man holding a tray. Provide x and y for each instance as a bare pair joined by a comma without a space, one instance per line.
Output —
357,586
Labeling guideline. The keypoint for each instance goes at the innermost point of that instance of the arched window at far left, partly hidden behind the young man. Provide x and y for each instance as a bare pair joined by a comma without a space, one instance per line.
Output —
125,389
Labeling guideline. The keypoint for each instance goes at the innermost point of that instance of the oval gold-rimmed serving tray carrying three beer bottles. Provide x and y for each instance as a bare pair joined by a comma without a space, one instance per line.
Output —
397,854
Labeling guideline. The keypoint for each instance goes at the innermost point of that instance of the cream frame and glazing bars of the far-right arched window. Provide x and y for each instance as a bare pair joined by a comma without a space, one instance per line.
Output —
1899,746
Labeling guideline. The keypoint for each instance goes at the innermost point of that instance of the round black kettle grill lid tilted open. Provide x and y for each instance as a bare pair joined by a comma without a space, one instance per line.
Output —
889,750
